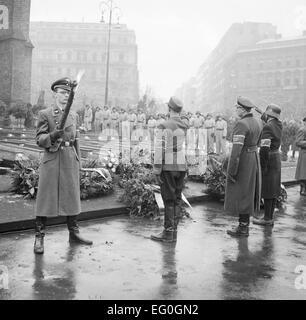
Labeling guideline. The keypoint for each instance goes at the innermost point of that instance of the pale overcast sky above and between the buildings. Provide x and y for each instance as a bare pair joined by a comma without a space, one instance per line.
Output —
175,36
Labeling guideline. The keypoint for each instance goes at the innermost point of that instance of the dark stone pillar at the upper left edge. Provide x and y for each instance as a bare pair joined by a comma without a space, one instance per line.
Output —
15,51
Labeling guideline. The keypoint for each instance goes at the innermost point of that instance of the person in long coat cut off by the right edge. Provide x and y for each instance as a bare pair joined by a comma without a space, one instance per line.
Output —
300,173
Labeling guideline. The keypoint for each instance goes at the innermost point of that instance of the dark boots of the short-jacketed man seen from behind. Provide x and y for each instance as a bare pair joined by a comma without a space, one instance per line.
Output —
169,233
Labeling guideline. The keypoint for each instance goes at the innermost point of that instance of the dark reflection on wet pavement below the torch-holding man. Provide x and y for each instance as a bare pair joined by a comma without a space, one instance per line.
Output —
48,286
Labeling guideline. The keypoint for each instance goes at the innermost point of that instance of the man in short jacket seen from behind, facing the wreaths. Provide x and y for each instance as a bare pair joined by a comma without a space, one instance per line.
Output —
170,167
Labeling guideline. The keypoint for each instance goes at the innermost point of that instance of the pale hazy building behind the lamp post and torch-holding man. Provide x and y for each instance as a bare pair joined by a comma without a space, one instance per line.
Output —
62,49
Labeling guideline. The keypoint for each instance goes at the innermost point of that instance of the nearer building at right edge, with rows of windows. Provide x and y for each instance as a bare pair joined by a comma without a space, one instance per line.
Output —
271,71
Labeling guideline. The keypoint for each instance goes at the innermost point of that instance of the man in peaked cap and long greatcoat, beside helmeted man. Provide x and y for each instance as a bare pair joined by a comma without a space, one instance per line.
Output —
242,194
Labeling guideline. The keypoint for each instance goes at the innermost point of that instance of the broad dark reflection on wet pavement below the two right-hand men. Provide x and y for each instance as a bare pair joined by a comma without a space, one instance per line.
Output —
241,275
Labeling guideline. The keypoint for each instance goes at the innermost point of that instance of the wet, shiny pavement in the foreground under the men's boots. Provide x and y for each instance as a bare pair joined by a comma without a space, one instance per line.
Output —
124,263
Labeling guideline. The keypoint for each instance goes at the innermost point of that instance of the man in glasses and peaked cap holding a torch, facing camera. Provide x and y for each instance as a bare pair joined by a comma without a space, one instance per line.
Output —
59,180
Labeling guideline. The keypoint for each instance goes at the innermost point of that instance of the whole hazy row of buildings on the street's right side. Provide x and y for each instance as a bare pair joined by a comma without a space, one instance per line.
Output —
252,59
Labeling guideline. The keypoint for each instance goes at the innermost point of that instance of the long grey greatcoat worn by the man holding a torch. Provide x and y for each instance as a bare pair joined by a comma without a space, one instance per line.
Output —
59,182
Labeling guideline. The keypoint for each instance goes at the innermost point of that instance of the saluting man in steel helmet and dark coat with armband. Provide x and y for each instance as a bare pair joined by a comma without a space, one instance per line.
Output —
270,163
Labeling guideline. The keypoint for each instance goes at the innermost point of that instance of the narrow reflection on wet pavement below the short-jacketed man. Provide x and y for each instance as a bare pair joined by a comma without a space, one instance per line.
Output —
168,287
